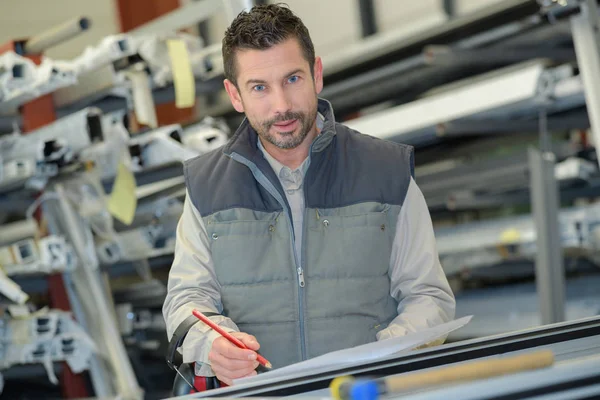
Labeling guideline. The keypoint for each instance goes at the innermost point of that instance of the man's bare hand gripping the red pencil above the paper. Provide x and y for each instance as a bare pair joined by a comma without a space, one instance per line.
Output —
229,361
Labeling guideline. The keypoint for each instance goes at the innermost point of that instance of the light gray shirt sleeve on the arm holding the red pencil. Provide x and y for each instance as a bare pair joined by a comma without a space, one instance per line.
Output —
193,284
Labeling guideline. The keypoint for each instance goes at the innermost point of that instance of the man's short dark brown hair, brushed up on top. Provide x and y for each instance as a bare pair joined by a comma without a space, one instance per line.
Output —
261,28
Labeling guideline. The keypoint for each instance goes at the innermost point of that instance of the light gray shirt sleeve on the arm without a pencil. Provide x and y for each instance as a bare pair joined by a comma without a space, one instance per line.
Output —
417,279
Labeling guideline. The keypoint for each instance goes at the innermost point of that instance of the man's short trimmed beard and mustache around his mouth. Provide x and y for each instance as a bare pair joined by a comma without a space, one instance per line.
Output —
287,140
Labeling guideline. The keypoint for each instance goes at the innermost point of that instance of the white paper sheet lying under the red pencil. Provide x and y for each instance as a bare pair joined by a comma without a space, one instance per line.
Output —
367,352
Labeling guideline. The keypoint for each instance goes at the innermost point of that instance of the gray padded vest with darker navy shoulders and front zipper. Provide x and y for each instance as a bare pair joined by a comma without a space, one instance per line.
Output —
354,189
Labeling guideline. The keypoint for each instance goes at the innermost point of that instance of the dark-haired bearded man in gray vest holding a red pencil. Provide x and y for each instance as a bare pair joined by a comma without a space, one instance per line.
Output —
304,236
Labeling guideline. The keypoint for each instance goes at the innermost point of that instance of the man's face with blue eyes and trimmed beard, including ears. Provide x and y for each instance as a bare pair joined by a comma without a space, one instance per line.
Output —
277,92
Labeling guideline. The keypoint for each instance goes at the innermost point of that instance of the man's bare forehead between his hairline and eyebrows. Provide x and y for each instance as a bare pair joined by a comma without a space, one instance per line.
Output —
270,63
